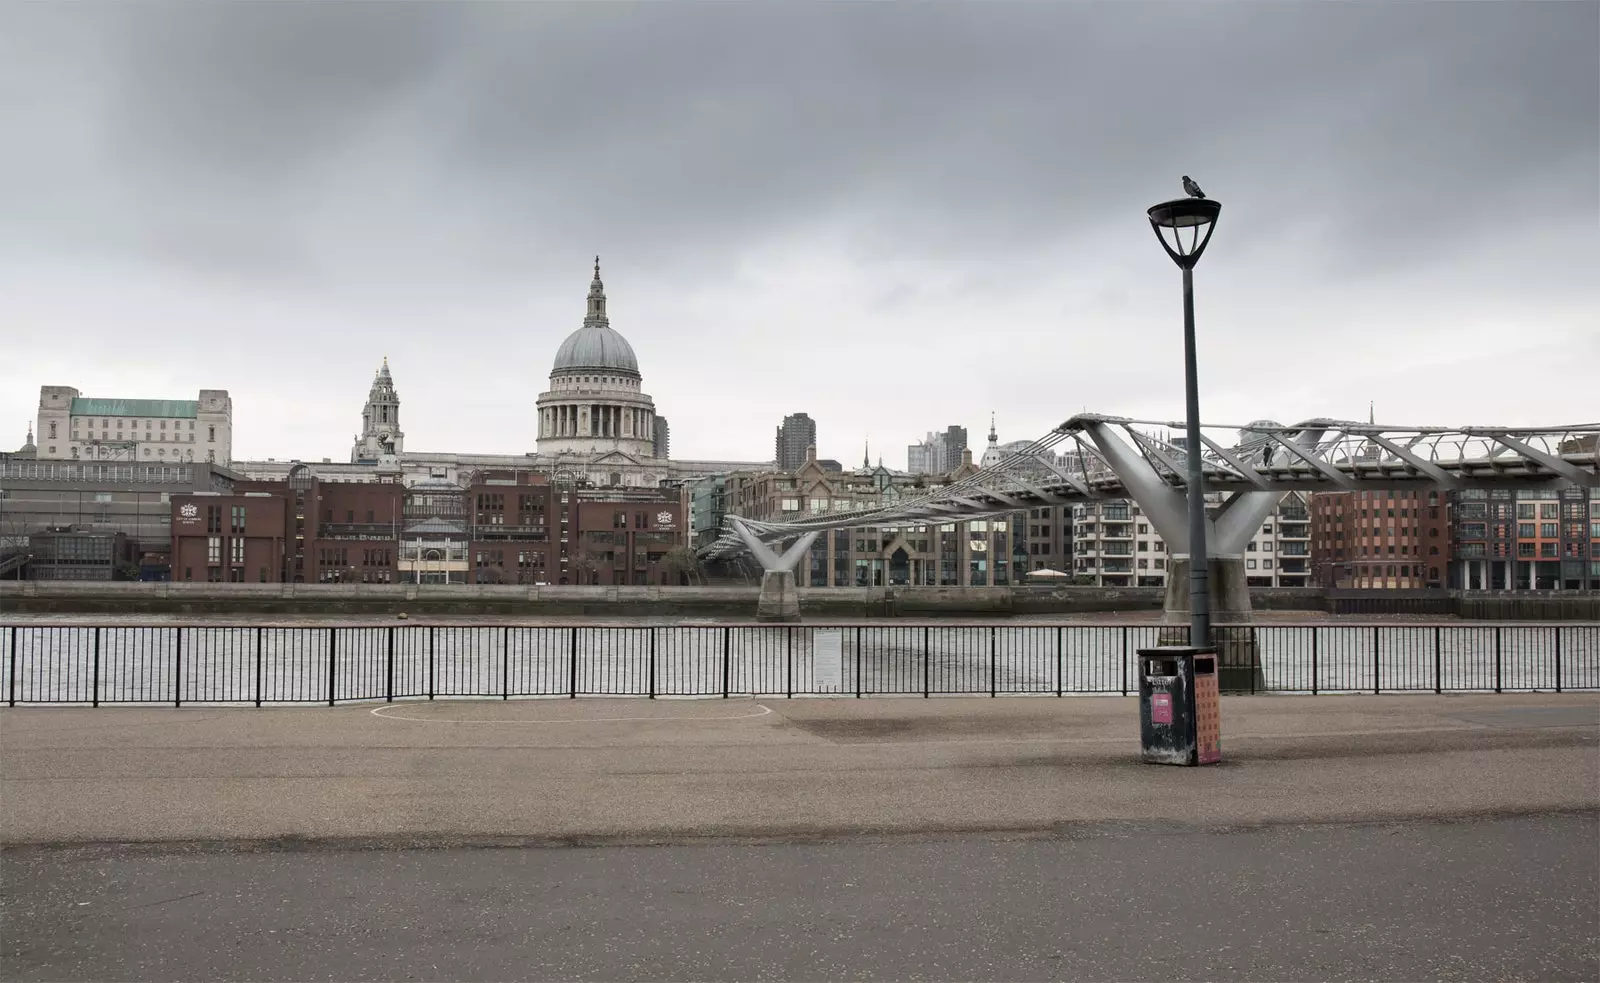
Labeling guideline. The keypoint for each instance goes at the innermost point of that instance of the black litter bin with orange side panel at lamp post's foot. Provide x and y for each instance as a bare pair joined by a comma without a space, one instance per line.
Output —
1180,707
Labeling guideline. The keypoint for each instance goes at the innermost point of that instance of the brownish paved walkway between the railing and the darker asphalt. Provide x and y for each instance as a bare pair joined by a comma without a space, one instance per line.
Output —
631,771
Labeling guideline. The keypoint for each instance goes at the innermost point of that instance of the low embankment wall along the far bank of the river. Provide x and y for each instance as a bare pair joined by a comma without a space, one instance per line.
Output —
65,598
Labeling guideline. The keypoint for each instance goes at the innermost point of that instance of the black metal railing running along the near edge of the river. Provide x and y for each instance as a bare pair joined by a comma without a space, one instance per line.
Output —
262,665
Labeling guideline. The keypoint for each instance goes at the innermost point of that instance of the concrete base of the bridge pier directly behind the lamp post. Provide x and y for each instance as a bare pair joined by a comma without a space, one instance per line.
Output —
1233,624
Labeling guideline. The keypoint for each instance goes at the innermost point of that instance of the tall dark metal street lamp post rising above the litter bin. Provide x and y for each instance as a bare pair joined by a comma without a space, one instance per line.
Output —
1185,228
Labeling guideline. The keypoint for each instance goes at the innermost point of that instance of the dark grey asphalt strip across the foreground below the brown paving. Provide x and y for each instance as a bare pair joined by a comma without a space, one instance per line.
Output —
1510,899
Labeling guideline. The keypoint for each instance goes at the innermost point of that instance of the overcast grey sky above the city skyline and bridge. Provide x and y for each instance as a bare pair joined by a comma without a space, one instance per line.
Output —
890,217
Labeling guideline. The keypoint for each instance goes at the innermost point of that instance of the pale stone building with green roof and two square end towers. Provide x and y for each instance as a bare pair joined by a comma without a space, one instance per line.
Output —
148,431
